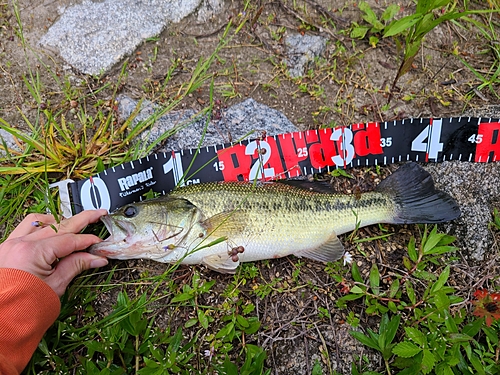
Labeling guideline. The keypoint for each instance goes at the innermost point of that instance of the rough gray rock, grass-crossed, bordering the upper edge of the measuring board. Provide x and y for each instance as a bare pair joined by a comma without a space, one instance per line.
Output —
243,120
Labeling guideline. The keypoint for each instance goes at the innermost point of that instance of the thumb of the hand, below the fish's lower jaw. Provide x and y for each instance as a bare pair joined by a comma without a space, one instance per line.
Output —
71,266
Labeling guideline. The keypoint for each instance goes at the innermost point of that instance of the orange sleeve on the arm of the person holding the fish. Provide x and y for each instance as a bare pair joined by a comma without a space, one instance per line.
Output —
28,307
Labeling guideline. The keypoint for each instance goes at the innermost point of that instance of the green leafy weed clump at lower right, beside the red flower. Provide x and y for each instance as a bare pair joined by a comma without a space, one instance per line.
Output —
433,338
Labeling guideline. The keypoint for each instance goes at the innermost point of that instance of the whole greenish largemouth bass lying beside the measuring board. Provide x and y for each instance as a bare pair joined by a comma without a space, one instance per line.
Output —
222,224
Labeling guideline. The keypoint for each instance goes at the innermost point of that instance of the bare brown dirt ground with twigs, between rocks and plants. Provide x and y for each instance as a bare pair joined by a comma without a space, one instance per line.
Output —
348,84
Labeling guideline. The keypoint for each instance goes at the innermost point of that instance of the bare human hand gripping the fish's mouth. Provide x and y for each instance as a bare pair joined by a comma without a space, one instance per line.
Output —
44,248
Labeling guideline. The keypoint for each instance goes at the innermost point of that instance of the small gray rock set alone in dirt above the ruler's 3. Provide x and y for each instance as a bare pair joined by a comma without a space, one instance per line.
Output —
302,50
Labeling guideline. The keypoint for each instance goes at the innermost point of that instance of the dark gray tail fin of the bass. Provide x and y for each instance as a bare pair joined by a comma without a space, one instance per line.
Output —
417,200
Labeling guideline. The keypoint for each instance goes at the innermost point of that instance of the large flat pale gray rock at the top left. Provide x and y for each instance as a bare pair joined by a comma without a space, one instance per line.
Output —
93,36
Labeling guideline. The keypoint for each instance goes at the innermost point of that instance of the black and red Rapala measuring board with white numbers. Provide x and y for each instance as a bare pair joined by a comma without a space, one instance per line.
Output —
286,156
